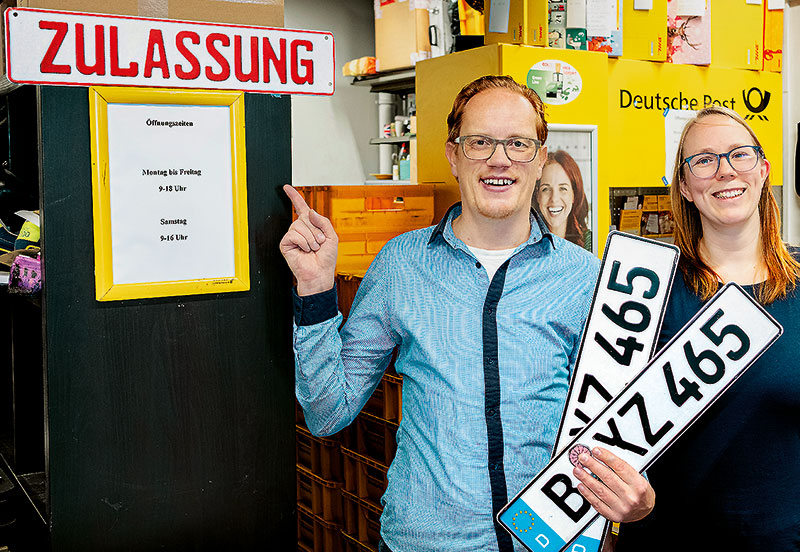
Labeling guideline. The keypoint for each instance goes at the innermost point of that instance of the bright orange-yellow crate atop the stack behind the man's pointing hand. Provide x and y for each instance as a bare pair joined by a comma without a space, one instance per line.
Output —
366,217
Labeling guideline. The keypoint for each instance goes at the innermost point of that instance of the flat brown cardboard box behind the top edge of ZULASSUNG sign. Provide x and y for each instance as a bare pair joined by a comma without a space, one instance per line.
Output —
262,13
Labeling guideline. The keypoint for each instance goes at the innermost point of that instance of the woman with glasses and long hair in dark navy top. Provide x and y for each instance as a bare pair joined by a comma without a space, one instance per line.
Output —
732,481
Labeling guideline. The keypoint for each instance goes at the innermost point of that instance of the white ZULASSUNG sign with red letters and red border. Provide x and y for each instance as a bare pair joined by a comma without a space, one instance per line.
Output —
83,49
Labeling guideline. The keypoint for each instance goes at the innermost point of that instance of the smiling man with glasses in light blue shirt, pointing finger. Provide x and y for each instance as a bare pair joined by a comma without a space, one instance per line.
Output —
486,311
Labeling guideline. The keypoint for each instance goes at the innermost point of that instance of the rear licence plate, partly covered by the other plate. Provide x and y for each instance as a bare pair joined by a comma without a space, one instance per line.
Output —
619,338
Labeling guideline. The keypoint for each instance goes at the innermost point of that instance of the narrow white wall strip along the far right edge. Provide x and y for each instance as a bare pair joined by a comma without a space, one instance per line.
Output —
791,103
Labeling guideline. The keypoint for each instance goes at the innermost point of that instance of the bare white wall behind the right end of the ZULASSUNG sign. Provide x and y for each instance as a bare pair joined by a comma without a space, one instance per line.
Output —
330,134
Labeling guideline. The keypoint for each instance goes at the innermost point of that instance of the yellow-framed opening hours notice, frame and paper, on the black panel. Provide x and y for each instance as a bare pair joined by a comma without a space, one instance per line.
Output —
169,192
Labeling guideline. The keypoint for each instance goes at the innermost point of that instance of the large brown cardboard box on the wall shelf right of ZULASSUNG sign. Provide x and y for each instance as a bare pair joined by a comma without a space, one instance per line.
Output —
401,34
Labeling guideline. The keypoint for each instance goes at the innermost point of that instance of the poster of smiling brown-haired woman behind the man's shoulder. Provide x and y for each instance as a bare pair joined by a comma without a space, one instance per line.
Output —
564,196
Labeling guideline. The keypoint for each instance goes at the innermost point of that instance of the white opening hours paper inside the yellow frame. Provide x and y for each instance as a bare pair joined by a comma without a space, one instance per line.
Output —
171,195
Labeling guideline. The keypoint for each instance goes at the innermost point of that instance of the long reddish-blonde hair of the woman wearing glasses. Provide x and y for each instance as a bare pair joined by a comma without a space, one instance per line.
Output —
782,270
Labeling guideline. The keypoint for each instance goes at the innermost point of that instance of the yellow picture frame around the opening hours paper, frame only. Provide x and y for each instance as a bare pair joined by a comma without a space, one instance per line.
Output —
105,287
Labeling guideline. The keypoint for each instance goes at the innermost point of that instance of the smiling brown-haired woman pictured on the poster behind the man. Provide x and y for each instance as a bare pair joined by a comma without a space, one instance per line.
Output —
560,199
